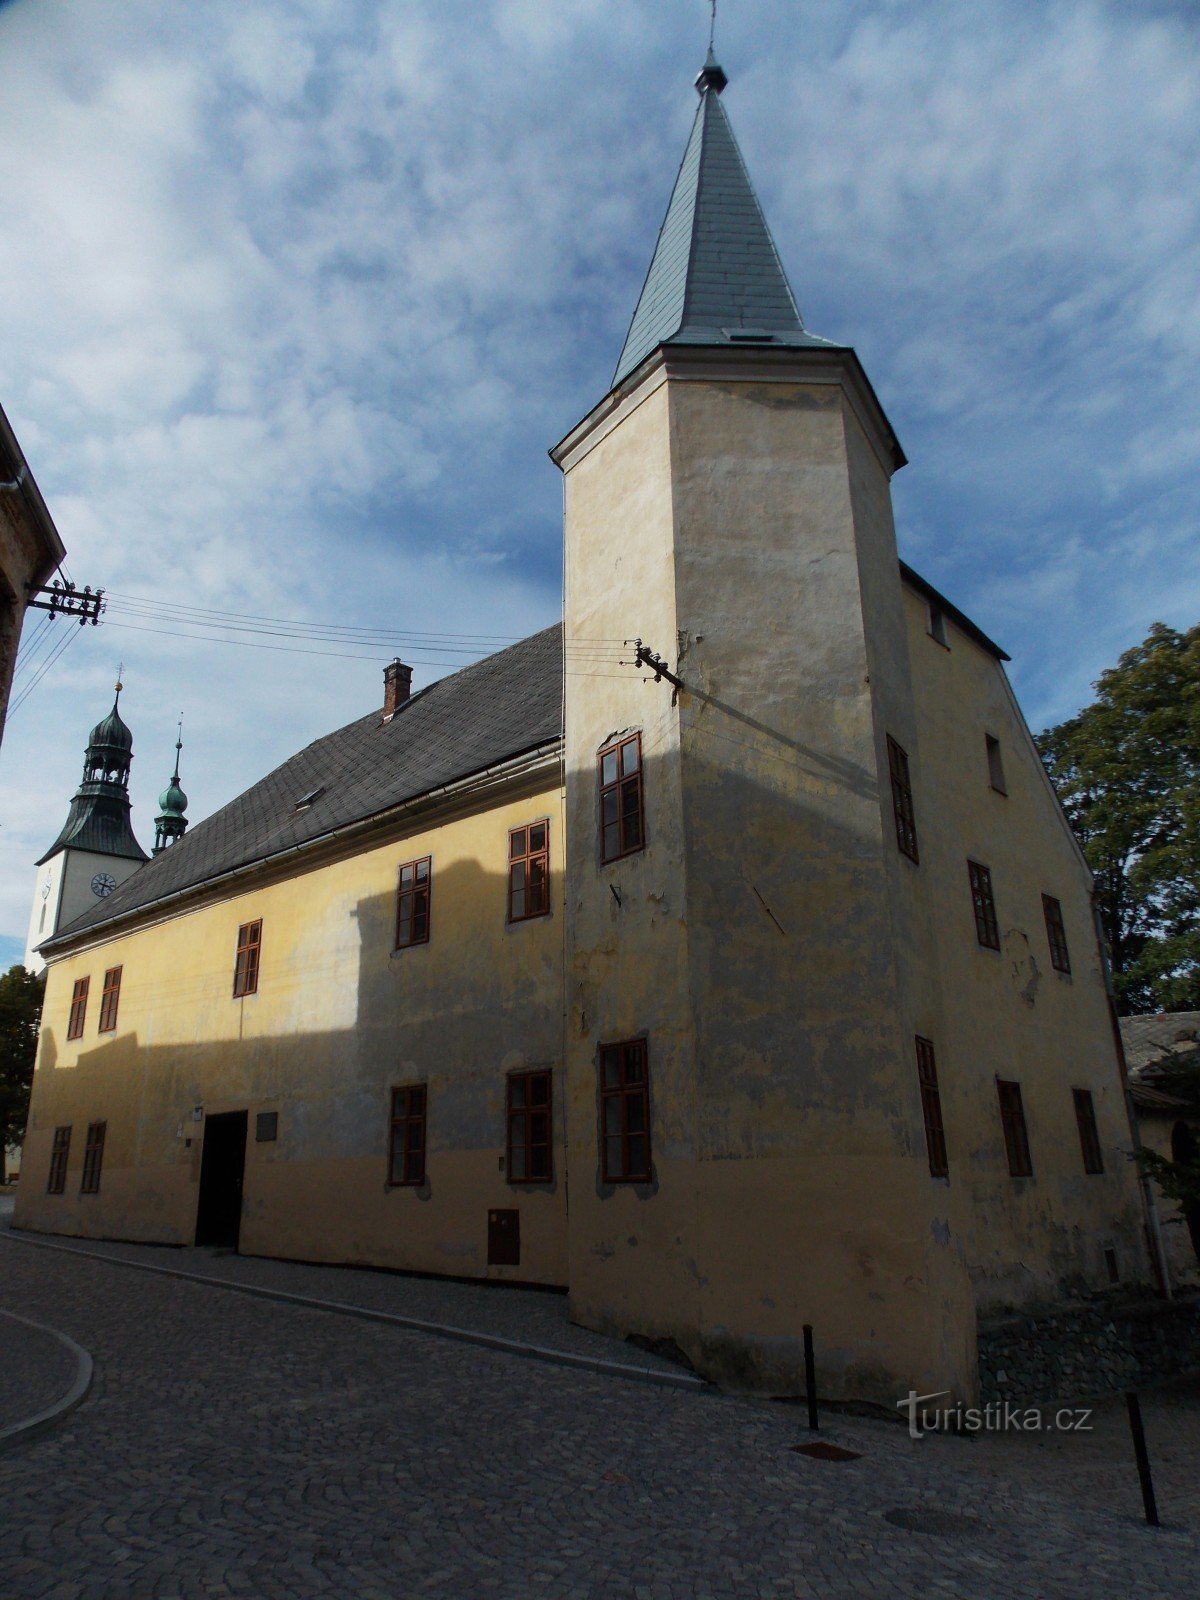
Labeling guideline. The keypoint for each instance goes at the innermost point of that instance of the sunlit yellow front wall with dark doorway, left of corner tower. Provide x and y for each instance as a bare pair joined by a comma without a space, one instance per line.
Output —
337,1022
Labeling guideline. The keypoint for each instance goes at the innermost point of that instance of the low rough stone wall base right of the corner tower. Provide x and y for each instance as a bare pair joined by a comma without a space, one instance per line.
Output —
1076,1353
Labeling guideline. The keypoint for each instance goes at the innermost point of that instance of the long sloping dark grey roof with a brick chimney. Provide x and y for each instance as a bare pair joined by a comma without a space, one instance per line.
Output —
495,710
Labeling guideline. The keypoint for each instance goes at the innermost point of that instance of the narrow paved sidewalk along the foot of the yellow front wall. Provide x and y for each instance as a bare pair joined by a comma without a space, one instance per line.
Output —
530,1318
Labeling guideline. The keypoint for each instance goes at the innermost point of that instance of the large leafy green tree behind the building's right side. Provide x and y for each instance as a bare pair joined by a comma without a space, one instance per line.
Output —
1127,770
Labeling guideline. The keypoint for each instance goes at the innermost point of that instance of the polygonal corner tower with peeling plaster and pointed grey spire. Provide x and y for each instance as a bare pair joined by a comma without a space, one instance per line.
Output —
746,962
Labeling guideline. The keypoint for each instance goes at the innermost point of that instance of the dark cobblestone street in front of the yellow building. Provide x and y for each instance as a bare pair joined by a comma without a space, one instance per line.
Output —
236,1447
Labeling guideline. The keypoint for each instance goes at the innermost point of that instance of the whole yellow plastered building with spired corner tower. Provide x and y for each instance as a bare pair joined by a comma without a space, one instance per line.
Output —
722,956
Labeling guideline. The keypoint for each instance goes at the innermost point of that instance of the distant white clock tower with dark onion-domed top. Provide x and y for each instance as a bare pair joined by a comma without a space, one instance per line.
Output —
97,849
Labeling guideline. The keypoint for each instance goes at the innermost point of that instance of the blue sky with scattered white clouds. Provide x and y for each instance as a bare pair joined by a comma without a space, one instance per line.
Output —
297,295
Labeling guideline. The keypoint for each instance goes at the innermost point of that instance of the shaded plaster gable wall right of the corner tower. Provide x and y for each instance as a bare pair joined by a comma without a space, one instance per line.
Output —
1009,1014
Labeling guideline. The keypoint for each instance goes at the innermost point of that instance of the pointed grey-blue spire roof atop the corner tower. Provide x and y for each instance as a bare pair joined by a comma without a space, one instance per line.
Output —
716,270
